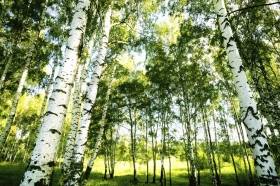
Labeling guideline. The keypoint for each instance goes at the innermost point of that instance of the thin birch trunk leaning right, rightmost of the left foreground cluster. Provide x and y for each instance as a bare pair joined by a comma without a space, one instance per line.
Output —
101,130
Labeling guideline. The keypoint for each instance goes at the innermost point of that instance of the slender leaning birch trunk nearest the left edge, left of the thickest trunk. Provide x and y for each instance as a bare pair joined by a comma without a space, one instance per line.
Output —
11,117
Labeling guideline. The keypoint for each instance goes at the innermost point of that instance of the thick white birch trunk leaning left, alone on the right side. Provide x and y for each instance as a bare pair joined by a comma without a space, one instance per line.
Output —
264,164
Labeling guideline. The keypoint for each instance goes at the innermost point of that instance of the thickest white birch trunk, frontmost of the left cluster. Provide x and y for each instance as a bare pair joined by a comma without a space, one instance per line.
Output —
40,168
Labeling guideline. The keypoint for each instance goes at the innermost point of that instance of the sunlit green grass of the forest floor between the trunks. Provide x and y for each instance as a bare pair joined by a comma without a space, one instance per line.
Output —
11,174
